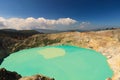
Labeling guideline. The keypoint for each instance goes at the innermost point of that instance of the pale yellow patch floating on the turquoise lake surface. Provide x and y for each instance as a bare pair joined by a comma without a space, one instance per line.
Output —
49,53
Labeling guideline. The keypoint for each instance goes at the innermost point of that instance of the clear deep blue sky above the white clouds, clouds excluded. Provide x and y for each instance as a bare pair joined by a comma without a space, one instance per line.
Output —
101,12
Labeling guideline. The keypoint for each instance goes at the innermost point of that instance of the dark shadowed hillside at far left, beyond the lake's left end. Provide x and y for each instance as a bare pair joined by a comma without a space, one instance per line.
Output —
9,37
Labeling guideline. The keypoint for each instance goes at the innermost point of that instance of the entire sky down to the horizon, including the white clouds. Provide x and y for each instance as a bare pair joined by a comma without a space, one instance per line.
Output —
59,14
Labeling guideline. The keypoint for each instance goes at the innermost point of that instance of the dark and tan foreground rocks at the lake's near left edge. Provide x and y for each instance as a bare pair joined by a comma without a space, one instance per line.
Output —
8,75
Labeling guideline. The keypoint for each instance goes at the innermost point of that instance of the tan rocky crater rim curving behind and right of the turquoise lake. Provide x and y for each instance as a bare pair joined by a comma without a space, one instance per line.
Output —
106,42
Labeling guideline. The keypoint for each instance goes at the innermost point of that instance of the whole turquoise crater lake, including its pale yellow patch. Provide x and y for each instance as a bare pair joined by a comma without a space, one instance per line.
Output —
60,62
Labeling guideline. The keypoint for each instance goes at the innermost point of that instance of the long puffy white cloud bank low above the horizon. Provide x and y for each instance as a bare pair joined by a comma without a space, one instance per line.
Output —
41,23
